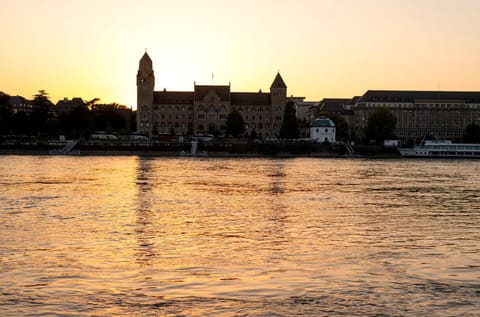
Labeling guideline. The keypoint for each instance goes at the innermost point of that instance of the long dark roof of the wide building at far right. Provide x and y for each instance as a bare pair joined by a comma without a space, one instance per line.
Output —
412,96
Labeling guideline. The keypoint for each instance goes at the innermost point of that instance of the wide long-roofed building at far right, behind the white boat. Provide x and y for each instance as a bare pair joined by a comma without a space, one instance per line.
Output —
441,114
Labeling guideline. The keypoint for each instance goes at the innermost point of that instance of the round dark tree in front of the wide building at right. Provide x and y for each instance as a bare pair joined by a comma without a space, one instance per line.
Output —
381,124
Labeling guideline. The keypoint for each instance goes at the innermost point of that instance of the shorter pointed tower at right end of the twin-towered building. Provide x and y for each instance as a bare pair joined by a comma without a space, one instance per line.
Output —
278,97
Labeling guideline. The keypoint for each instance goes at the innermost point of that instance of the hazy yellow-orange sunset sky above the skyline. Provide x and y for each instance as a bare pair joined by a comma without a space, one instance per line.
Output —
322,48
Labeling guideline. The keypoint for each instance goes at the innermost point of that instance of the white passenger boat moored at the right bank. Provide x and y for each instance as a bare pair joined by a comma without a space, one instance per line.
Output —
442,148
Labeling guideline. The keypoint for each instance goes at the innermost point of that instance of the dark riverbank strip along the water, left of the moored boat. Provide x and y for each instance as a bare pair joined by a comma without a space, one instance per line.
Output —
271,148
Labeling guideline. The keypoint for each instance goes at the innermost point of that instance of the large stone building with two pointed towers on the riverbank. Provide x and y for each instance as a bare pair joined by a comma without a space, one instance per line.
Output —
205,109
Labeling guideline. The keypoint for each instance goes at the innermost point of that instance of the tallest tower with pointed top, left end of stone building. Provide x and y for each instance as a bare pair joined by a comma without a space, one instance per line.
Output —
145,86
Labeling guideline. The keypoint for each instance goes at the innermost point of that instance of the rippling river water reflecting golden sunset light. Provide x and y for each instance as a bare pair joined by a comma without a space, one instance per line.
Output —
135,236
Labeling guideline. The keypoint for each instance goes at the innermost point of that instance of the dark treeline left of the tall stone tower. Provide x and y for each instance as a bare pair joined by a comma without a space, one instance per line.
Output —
73,118
